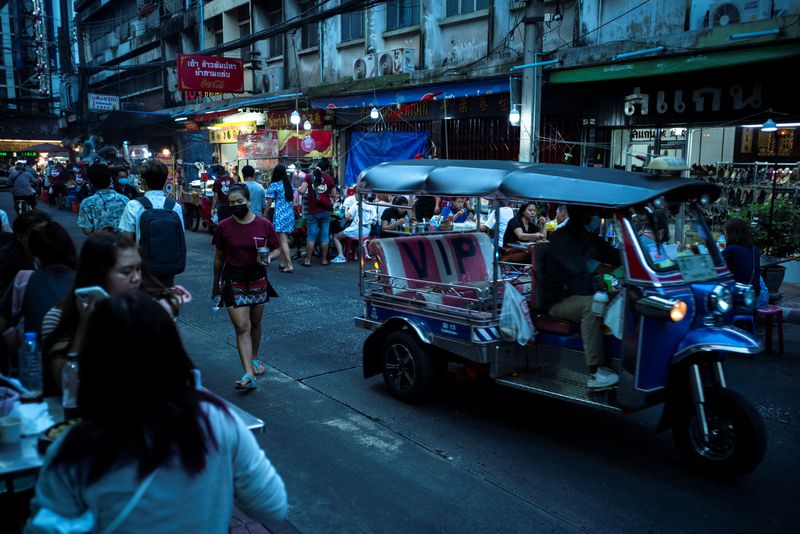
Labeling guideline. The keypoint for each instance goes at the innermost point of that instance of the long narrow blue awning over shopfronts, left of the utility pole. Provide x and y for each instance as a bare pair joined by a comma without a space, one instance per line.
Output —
414,94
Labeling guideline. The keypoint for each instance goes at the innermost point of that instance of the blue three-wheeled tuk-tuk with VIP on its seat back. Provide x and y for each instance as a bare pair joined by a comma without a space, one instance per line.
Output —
434,297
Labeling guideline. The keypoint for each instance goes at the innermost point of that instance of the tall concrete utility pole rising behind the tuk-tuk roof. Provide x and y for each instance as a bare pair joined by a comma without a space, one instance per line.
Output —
531,84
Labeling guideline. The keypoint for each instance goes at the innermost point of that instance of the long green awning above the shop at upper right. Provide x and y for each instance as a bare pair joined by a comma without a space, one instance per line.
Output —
674,64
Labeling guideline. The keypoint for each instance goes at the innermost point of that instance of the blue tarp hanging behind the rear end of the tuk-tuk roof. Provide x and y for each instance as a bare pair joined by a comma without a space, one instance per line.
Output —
370,148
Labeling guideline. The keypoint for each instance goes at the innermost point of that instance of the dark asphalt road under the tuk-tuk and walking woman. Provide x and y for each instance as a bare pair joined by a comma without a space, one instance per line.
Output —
478,458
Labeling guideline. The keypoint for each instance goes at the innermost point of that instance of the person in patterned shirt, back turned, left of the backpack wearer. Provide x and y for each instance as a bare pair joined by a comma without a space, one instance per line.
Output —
103,210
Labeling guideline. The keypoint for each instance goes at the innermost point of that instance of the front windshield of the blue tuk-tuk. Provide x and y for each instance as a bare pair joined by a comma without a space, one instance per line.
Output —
676,237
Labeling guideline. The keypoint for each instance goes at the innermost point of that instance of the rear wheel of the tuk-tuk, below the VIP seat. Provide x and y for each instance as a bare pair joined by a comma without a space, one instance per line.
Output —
407,367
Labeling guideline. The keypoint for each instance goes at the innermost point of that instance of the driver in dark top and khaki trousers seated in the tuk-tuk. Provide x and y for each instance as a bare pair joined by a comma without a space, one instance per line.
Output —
568,286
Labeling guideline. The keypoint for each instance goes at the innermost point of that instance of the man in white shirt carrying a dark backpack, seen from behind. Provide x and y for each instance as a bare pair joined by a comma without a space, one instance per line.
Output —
156,222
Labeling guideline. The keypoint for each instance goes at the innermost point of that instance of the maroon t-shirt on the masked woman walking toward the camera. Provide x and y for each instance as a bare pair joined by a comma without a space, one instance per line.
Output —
236,242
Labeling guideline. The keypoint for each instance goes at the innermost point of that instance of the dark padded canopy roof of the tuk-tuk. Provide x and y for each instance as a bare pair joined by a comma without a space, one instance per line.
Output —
563,184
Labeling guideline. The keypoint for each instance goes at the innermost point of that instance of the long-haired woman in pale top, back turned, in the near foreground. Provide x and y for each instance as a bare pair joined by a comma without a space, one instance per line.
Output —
152,450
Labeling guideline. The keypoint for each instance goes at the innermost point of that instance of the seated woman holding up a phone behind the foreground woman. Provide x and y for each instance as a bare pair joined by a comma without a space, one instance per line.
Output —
110,261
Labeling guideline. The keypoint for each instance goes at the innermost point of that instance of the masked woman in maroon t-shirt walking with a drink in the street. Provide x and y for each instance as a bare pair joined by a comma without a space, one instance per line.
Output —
246,244
